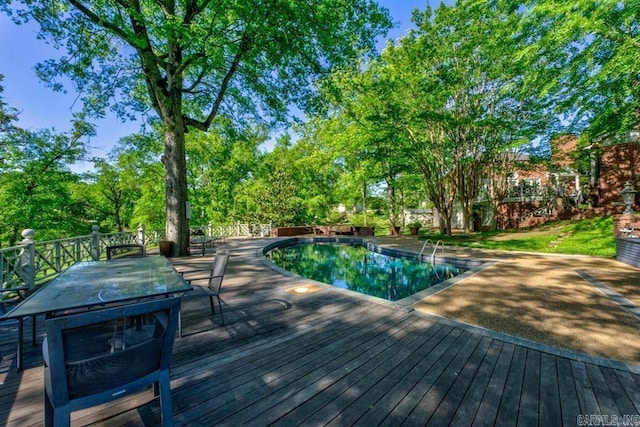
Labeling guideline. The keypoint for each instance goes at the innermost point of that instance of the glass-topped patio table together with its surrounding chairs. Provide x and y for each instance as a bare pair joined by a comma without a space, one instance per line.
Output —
110,327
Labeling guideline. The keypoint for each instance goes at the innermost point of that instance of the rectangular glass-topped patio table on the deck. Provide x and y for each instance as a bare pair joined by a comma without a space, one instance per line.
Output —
97,284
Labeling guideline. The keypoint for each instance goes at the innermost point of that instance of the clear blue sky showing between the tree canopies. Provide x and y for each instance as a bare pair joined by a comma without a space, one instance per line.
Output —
40,107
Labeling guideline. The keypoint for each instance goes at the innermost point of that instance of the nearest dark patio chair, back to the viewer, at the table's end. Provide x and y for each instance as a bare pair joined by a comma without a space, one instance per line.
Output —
84,368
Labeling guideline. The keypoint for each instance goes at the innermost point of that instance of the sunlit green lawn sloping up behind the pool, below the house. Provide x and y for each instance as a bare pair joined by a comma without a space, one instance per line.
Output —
584,237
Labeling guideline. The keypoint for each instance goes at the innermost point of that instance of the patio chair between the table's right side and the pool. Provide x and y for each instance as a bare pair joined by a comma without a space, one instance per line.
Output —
212,277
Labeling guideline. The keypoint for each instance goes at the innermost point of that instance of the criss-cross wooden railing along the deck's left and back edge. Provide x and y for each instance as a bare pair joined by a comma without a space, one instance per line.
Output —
31,263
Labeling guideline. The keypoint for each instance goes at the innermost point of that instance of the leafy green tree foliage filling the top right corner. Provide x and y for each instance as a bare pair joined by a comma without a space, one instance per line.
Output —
586,55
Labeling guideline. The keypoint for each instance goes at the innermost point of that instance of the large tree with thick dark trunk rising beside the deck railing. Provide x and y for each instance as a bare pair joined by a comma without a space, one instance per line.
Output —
190,61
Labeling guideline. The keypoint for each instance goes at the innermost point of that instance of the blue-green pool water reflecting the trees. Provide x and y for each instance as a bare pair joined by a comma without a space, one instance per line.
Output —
356,268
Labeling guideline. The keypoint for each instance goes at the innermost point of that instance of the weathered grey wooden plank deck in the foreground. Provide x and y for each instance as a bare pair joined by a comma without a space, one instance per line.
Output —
328,358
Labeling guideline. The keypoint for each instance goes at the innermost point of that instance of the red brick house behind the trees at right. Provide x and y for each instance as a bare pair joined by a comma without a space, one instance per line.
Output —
539,193
